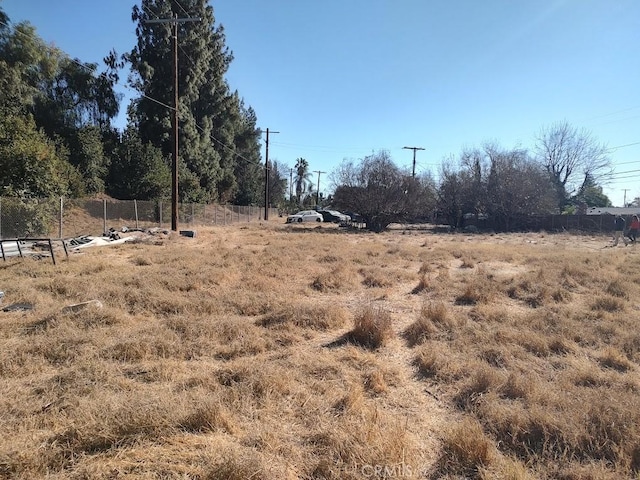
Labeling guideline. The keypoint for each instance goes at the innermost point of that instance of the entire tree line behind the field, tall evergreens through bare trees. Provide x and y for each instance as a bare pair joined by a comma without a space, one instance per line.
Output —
57,138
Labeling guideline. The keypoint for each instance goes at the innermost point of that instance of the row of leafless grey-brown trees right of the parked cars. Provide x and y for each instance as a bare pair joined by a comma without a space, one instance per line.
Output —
560,175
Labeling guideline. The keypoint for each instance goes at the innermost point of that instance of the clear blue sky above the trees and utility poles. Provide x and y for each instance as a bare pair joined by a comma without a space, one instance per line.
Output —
344,78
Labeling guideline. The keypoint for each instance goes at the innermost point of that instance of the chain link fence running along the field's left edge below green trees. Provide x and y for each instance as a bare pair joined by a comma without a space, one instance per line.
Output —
64,218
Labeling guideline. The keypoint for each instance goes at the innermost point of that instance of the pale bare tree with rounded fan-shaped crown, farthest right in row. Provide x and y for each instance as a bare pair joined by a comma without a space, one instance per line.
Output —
571,157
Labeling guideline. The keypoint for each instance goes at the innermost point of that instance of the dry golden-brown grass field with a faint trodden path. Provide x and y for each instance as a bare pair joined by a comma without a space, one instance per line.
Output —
272,351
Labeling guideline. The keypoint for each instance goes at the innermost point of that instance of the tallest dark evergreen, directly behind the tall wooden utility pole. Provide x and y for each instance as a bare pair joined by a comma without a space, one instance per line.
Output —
211,118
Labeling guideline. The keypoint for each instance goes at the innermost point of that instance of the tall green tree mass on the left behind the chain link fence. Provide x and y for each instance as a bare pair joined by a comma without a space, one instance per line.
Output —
56,116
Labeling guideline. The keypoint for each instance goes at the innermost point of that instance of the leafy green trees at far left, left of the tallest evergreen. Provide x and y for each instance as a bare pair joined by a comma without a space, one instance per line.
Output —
66,105
